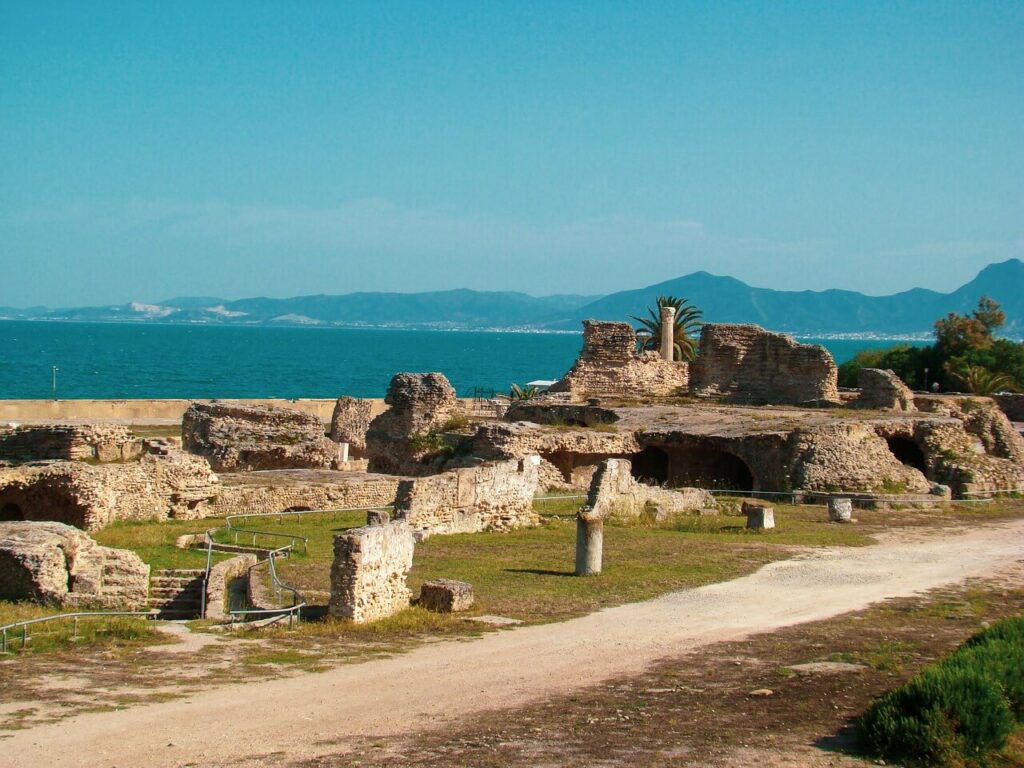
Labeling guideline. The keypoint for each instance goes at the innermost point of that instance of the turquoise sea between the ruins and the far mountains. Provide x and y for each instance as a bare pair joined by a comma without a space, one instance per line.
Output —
116,361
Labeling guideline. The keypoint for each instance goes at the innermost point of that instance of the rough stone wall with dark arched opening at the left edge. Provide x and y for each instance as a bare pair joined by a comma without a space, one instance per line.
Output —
155,488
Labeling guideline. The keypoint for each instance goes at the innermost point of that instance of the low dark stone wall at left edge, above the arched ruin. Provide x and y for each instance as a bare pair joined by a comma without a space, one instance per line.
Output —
105,443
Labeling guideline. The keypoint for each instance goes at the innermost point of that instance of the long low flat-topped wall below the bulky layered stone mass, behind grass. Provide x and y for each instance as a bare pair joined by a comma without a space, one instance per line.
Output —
359,493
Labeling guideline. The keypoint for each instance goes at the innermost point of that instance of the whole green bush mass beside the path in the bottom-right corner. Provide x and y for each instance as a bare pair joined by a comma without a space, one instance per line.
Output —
959,710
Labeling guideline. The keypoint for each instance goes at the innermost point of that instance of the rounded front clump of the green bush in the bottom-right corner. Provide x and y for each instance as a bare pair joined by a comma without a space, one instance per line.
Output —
942,715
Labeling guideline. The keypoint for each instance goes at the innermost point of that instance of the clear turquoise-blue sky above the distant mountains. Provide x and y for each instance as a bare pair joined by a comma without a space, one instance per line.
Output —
233,150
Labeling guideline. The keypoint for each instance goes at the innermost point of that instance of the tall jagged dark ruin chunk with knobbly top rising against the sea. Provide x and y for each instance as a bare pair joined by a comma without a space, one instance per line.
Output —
400,440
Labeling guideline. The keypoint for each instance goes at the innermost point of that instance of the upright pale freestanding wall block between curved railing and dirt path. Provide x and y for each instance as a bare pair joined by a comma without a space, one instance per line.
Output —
368,577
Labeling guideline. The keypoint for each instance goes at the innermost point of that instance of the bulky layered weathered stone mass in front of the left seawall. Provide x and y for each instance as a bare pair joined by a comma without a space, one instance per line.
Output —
235,437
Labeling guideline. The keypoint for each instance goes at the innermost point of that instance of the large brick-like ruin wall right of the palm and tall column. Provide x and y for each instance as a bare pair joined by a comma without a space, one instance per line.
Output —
747,364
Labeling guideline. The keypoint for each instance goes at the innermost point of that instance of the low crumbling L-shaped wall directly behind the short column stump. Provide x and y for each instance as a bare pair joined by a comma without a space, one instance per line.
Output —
614,494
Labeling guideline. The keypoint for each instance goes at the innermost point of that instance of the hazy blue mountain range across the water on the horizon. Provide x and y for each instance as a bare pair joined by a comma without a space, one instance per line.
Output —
722,300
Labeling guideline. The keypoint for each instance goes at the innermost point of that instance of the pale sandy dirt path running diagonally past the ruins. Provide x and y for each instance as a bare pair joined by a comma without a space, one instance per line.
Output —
271,722
